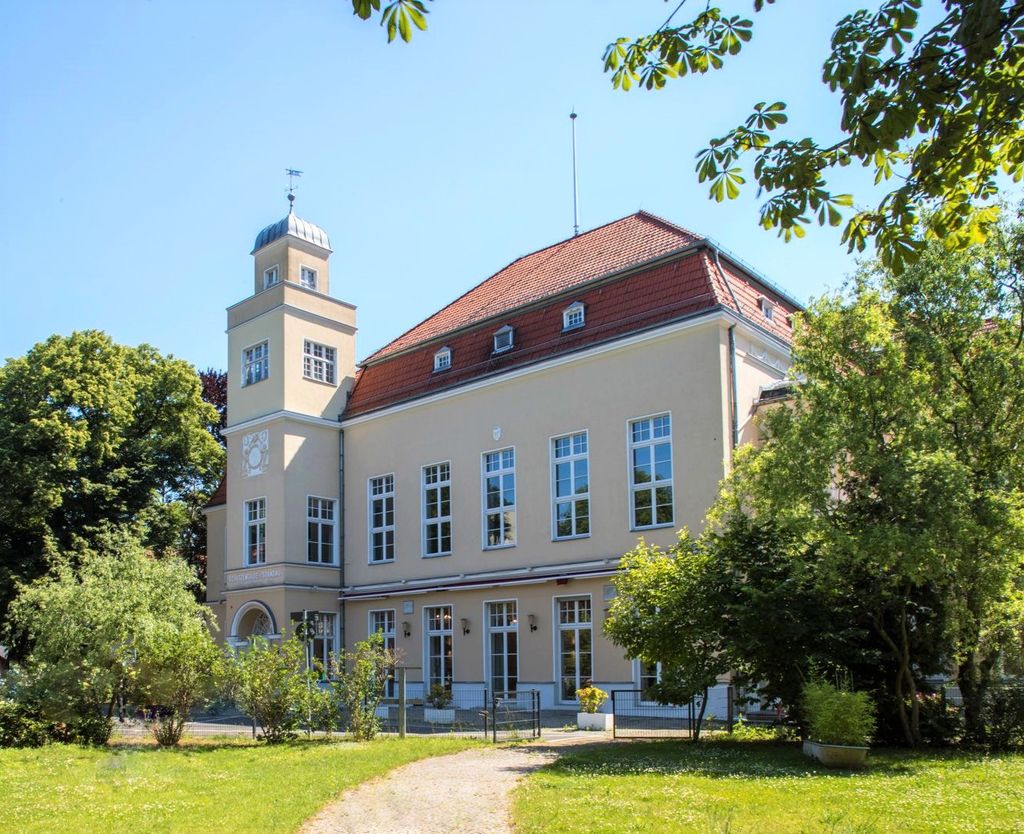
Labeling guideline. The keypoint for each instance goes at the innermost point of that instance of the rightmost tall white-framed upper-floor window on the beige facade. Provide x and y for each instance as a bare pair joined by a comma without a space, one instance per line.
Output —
651,473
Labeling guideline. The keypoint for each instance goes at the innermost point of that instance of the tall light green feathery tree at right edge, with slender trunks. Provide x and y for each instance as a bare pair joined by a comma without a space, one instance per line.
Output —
899,465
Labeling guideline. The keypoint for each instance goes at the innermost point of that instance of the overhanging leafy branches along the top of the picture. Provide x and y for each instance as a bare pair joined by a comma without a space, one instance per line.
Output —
935,115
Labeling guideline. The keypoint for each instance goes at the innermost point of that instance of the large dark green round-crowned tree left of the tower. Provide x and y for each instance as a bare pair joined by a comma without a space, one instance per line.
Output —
93,435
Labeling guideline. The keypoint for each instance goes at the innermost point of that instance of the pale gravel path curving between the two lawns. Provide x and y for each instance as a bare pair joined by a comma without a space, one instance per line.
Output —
468,793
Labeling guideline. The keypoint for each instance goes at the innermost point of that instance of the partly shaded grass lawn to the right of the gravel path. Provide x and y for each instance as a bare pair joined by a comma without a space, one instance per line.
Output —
744,788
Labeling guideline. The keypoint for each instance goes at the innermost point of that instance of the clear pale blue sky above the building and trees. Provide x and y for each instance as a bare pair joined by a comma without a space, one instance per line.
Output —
144,146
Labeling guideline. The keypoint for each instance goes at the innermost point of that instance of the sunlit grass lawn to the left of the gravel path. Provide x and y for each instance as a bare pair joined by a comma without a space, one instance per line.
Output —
222,787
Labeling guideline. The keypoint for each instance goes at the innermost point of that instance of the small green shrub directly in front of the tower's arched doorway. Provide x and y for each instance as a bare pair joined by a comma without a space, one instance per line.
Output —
269,685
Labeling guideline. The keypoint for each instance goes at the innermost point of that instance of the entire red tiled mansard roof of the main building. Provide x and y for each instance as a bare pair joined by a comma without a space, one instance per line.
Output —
621,295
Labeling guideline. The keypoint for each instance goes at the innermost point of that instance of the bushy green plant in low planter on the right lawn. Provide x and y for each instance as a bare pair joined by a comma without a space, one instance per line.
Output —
840,725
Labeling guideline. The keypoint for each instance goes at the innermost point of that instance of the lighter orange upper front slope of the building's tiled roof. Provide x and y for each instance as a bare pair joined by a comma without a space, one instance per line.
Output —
607,249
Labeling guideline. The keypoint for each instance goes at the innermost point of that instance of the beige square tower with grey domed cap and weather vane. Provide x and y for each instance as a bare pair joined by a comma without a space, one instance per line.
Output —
275,540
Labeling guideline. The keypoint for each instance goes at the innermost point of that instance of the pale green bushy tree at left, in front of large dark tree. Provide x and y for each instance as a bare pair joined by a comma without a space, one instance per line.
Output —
119,624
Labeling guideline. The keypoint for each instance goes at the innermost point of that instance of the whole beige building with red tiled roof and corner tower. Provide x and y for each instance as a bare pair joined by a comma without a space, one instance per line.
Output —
470,488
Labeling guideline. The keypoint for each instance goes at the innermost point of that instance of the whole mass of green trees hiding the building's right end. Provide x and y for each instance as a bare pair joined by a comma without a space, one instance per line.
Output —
880,527
